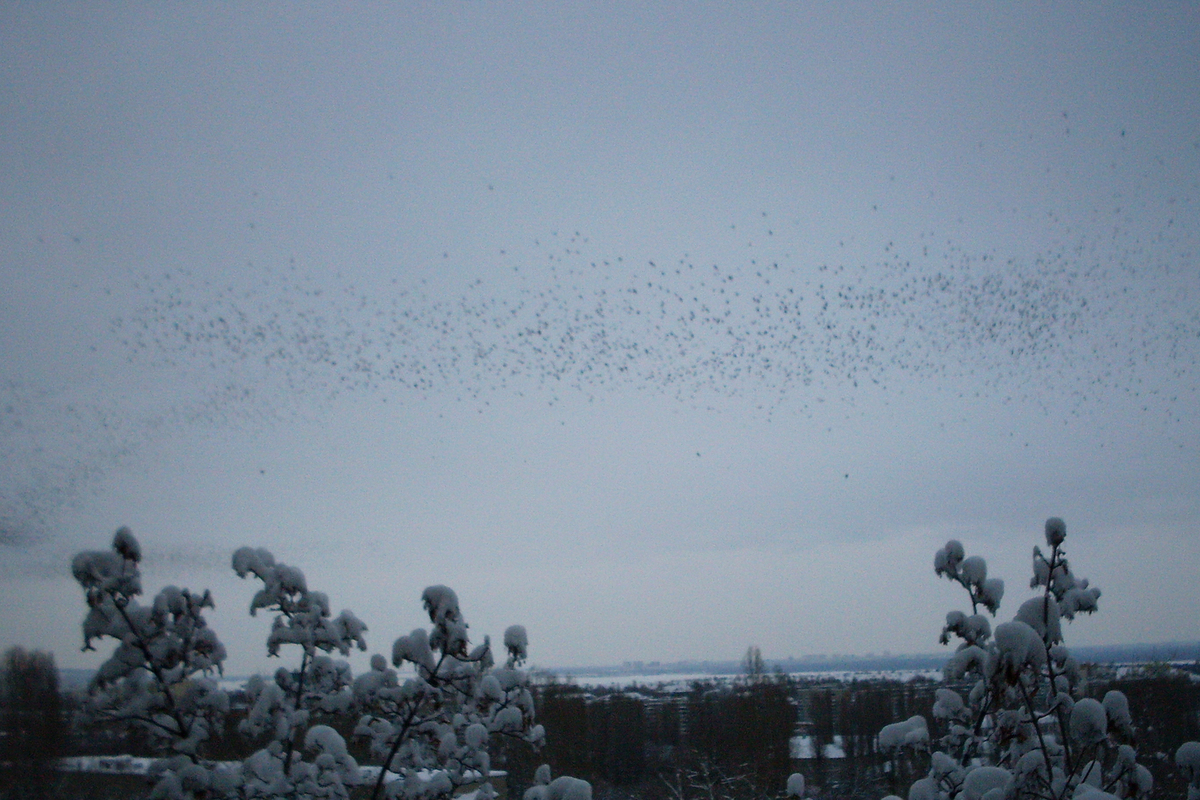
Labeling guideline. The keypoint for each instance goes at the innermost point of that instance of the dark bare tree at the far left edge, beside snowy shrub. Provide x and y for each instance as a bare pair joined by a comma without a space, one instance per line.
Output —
31,724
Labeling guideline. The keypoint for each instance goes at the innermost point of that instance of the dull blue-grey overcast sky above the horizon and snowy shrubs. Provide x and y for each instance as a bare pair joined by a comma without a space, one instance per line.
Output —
662,329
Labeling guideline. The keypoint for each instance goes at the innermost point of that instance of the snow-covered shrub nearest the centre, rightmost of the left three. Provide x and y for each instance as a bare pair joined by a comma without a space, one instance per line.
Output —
441,720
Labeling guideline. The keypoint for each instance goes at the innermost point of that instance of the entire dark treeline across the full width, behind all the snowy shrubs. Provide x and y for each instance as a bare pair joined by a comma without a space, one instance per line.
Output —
719,741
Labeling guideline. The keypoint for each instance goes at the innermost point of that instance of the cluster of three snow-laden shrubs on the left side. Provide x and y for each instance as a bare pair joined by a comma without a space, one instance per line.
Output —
431,731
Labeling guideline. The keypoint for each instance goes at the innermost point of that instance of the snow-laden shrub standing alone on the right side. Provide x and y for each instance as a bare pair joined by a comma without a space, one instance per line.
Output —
1024,730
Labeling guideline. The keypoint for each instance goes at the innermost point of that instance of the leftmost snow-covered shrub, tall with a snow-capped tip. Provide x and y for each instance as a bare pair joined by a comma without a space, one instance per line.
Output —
160,676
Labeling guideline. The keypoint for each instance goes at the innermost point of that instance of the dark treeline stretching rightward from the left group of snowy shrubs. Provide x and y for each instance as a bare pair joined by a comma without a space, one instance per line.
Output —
733,742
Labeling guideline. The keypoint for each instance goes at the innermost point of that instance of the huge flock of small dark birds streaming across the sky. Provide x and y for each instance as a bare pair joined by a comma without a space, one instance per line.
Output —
766,326
